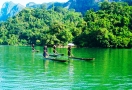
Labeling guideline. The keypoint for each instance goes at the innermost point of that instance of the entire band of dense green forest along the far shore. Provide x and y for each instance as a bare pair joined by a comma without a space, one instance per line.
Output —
111,26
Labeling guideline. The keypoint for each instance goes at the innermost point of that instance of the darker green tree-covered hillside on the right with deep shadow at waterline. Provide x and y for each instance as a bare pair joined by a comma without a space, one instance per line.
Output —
109,27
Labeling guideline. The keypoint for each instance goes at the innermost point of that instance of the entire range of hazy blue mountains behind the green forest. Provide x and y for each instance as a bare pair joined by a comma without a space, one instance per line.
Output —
10,9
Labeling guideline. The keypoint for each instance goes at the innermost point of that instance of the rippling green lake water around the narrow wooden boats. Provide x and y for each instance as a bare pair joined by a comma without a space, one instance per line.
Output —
22,69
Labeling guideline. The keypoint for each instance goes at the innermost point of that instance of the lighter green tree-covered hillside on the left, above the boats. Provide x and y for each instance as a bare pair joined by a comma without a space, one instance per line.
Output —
41,26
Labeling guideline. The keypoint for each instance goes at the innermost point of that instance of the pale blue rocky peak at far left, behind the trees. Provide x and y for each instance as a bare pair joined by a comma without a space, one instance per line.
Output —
9,9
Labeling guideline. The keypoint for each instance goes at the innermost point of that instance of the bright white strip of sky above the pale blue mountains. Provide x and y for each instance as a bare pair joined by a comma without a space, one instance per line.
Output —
24,2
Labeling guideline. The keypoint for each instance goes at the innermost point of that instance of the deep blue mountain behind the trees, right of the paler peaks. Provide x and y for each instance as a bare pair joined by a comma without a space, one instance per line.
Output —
84,5
